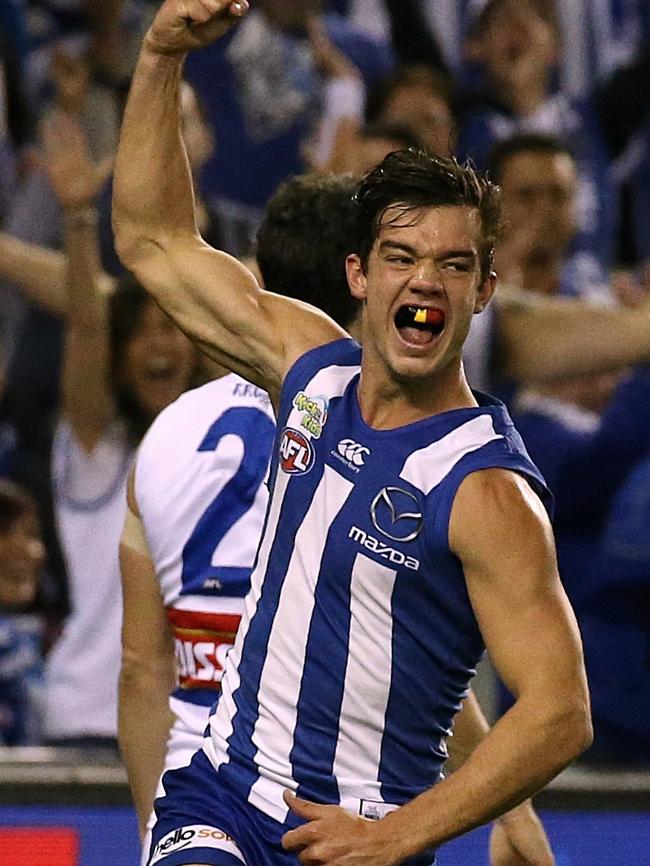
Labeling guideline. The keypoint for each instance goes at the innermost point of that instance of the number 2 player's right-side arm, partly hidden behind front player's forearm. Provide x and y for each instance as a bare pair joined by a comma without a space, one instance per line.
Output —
518,837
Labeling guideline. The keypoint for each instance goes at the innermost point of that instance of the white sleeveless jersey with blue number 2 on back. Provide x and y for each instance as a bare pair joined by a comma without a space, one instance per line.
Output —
199,485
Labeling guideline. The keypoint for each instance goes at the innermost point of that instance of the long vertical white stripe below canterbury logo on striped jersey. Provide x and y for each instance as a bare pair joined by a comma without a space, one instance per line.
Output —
283,669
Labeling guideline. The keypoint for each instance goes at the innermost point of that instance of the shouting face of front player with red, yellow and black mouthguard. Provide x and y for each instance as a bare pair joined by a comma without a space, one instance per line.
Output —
421,287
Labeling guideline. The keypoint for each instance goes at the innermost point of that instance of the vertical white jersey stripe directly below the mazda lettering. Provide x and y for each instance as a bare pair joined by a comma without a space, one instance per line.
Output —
367,681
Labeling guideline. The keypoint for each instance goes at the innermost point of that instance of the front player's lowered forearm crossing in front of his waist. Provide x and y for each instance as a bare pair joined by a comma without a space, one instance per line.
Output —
521,753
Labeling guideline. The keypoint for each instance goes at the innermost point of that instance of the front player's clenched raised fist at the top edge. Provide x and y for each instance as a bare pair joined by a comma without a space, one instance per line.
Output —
184,25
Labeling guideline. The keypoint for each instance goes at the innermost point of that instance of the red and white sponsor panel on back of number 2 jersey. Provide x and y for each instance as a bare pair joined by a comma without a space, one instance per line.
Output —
201,652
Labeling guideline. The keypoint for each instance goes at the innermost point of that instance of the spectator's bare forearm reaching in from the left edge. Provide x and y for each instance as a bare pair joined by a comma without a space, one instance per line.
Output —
38,271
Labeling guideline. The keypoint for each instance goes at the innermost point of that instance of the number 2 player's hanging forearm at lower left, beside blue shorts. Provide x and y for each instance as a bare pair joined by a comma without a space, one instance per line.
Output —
144,721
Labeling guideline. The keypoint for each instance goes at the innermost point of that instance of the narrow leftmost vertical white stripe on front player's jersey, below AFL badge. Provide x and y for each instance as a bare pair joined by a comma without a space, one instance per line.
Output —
221,726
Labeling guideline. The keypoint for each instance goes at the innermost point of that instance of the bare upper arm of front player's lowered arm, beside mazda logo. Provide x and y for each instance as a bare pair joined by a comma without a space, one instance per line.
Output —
501,533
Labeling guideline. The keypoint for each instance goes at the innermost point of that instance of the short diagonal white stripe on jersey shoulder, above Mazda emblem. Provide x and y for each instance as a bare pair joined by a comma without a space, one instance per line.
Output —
426,468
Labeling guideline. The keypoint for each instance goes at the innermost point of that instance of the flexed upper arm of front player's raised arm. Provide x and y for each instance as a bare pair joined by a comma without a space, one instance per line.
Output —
218,302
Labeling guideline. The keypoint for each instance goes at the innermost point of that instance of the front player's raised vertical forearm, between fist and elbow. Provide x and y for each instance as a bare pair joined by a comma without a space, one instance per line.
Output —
153,197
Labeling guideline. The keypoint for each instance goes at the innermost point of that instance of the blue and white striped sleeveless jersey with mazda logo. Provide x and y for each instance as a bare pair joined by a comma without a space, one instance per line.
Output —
358,640
